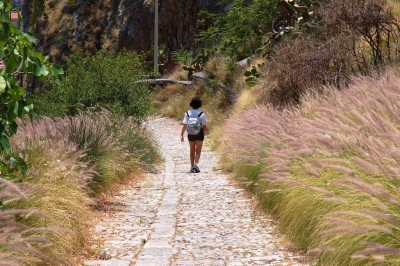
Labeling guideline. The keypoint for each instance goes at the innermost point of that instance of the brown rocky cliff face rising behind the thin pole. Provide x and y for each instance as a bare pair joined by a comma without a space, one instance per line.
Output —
92,25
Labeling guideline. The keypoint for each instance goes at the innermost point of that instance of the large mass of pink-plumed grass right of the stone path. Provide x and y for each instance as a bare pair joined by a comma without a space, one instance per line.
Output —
329,170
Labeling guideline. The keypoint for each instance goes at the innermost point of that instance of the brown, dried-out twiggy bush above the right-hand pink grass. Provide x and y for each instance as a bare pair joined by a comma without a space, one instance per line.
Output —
304,64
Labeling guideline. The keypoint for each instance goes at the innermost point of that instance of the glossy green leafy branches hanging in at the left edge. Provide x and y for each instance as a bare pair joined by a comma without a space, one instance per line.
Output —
21,61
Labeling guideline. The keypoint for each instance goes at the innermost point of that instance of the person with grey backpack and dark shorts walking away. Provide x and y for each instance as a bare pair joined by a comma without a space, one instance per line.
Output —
195,141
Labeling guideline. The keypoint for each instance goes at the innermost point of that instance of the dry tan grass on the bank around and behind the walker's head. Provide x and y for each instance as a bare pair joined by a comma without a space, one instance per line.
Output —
172,101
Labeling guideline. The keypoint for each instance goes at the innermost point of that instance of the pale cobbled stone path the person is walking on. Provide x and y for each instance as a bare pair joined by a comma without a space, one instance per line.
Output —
179,218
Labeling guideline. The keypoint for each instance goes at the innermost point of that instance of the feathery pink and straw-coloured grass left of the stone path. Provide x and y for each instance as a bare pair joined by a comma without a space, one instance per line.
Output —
70,161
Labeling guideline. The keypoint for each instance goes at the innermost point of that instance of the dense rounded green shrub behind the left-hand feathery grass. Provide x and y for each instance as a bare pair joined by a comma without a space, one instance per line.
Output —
104,79
